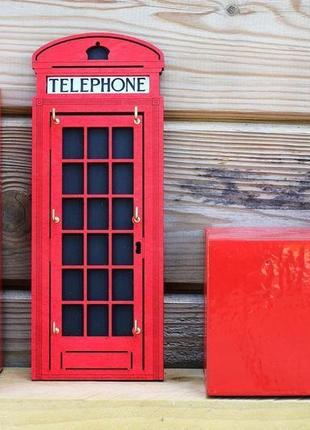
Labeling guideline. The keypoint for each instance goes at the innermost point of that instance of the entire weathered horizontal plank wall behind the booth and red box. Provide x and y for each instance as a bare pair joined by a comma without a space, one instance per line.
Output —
237,133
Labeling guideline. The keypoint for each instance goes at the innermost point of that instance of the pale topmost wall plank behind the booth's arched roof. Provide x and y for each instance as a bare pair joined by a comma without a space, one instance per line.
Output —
253,57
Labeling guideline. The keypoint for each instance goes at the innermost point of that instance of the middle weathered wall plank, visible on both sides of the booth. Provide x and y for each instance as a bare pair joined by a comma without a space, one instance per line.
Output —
216,174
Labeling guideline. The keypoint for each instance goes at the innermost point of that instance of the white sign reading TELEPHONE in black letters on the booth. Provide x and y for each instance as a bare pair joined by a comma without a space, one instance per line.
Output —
98,85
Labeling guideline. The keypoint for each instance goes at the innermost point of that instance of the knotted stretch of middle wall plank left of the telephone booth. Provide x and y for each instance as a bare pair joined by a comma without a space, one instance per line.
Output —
16,187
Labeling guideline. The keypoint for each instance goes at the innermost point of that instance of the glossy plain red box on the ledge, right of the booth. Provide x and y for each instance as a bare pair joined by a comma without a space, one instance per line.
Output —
258,301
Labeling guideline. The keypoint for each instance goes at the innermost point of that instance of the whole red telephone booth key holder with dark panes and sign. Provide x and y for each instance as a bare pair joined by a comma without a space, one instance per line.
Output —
97,252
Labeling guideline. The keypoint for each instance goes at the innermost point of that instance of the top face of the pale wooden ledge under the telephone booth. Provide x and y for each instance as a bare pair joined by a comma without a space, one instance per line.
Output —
179,384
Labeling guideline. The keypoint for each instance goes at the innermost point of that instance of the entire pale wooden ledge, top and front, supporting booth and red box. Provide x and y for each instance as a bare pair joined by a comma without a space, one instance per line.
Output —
179,402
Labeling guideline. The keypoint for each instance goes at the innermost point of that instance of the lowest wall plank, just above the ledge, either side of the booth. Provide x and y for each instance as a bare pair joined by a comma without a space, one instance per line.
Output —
183,329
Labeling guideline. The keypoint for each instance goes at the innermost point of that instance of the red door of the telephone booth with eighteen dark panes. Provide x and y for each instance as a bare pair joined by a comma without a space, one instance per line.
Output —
96,243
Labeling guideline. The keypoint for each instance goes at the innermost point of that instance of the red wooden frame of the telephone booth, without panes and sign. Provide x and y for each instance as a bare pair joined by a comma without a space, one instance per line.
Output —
55,356
